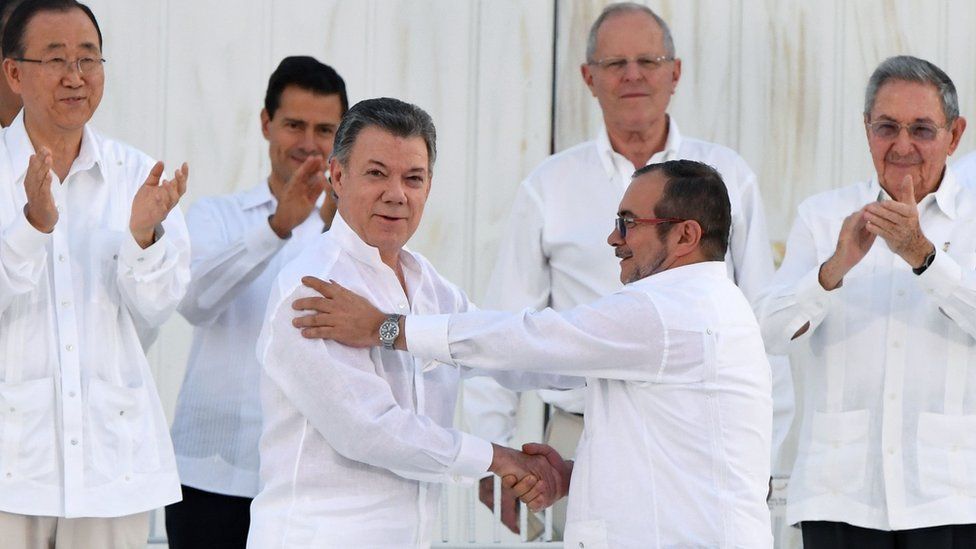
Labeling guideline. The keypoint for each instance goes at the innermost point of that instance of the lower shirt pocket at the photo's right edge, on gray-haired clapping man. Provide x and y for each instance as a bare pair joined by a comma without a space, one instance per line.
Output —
946,454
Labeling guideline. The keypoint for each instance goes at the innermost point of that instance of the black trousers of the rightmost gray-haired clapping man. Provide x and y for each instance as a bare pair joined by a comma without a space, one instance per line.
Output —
839,535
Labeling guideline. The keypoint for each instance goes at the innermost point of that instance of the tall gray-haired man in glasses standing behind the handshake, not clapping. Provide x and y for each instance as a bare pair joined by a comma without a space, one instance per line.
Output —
553,253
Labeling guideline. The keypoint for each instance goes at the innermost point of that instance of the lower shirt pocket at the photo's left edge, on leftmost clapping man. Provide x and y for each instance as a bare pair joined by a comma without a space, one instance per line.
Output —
28,435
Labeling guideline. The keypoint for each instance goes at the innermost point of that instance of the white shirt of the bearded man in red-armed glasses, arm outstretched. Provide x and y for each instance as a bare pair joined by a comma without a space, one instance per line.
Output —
675,447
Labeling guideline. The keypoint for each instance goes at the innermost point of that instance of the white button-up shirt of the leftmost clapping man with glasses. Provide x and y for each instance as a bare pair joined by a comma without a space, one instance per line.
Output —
82,431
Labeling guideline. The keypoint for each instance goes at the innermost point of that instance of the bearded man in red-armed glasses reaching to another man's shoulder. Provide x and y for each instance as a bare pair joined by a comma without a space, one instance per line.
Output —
679,413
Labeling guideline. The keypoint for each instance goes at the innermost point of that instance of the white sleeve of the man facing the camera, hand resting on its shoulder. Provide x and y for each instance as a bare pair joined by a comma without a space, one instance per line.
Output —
337,389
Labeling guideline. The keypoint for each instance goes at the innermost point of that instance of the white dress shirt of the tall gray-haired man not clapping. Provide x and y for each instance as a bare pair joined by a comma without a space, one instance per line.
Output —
555,253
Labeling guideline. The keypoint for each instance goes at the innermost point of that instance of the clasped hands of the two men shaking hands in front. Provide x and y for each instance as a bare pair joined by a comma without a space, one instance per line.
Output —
537,475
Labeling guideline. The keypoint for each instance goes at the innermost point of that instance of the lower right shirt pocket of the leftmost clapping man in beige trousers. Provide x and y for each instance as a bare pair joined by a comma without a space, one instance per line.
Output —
121,437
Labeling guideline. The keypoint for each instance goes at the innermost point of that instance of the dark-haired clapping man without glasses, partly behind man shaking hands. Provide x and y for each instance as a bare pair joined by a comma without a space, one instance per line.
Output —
240,242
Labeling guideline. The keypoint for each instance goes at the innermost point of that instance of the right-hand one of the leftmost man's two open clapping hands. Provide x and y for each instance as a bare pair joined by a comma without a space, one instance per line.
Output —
153,202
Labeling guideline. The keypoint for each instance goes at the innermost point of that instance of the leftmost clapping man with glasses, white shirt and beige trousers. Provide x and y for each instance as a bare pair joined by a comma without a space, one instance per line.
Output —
94,256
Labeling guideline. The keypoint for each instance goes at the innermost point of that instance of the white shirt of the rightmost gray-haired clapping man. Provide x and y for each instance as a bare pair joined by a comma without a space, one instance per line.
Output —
887,435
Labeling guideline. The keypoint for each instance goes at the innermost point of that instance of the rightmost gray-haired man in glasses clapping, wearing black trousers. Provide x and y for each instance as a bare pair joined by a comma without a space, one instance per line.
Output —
877,309
